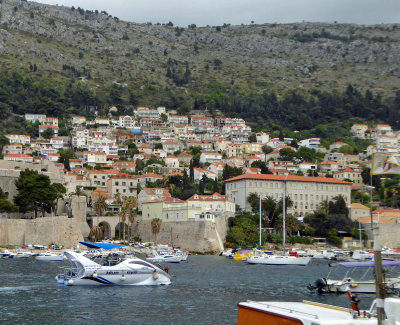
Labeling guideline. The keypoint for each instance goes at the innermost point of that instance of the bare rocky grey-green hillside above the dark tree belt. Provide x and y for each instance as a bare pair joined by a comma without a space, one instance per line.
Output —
98,48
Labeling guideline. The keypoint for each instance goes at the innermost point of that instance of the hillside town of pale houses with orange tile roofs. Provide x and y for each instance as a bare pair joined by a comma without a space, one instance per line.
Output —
154,154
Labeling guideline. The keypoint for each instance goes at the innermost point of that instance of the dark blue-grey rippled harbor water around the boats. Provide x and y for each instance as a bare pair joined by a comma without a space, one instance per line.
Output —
204,290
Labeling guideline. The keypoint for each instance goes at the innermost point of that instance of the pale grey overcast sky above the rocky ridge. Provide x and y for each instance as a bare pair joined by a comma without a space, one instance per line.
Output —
235,12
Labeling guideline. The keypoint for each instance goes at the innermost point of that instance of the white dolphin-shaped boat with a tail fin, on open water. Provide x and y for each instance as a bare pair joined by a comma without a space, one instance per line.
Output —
132,271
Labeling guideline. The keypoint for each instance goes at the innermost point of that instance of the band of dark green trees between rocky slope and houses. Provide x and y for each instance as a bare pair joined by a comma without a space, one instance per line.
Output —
321,113
